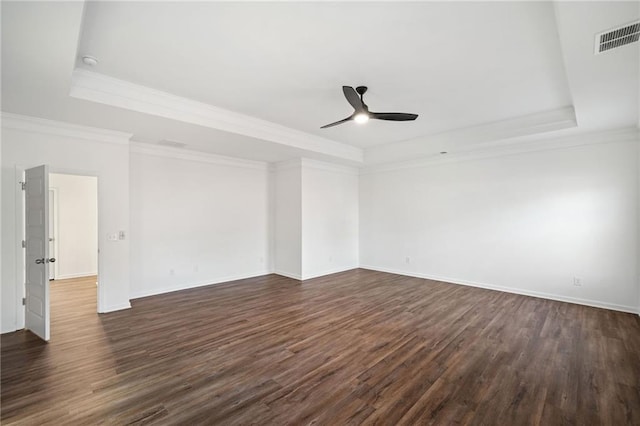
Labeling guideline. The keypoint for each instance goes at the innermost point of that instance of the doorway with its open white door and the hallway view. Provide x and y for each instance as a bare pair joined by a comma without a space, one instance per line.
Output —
60,242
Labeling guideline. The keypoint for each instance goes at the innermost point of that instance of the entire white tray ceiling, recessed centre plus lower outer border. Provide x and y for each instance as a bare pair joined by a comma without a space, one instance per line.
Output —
461,66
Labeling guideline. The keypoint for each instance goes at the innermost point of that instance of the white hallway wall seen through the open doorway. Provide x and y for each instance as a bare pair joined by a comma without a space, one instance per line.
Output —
77,225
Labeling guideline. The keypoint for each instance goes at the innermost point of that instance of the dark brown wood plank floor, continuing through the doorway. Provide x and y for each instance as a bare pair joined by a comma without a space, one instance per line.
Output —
359,347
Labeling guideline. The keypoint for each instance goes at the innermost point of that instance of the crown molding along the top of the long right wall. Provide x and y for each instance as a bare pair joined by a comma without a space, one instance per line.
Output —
625,135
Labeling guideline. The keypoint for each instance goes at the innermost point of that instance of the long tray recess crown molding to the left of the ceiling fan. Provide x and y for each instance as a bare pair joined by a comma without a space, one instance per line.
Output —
107,90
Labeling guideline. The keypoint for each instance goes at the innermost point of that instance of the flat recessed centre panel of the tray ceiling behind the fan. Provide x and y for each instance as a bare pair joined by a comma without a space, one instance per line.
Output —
286,62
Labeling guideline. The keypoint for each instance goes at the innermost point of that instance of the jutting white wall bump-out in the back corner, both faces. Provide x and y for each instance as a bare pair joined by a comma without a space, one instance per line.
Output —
315,218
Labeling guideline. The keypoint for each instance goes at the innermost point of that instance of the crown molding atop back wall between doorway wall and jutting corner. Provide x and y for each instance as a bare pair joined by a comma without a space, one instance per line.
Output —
197,156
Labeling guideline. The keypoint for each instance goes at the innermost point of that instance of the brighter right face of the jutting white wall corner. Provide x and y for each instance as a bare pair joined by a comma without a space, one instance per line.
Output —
329,218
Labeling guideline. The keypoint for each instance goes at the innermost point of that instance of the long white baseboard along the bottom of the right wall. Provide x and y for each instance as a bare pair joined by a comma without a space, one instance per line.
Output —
550,296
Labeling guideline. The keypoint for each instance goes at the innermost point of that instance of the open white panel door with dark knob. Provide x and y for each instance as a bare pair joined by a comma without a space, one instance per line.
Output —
37,251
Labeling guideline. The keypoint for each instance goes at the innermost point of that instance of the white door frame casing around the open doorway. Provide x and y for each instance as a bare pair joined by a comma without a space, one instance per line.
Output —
21,235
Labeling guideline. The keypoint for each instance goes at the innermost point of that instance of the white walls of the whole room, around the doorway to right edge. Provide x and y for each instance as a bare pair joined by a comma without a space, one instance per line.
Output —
526,223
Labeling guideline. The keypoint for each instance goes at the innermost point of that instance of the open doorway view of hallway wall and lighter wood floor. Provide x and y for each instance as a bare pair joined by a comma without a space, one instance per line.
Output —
73,242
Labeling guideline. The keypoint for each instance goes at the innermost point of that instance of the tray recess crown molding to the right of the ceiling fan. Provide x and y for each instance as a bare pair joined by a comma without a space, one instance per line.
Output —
531,125
